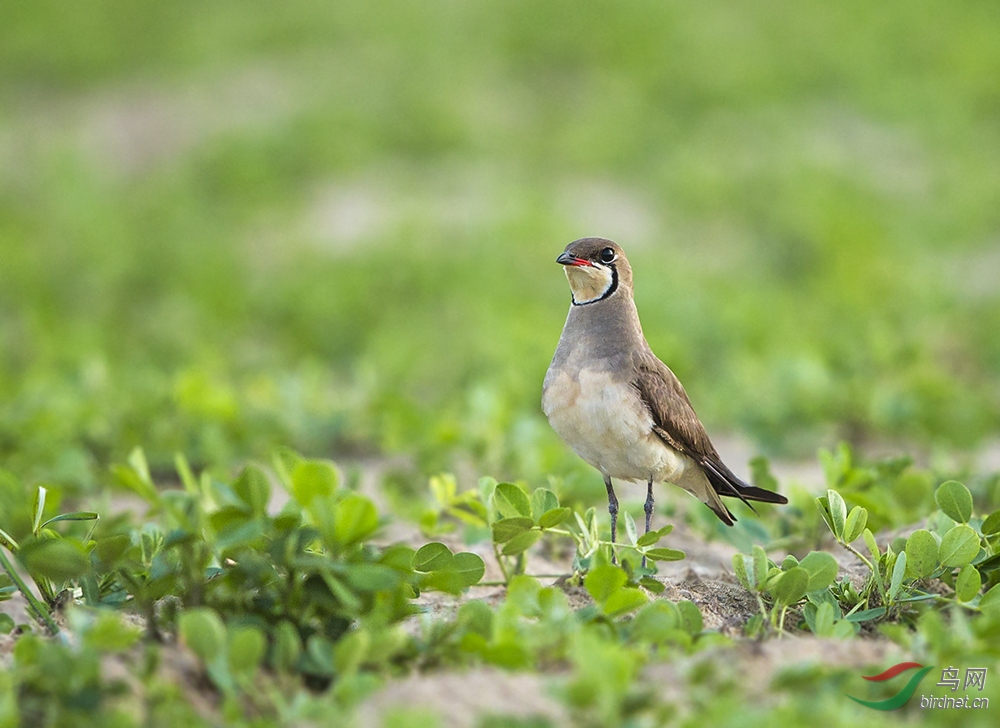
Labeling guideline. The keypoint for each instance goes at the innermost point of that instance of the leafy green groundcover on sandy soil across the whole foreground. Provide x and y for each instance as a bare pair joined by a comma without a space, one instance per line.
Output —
277,599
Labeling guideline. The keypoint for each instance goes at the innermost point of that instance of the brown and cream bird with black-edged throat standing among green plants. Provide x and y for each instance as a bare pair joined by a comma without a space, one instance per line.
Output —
620,408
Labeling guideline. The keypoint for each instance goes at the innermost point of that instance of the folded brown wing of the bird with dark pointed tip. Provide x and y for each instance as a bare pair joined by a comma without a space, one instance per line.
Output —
676,422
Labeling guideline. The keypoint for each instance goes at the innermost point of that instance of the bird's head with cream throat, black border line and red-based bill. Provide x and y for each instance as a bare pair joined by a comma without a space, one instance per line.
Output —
596,269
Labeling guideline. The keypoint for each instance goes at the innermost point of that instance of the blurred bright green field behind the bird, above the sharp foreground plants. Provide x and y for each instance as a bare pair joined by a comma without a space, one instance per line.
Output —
230,225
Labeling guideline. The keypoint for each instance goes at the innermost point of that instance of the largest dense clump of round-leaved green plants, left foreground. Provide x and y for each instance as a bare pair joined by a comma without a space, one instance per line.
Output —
290,585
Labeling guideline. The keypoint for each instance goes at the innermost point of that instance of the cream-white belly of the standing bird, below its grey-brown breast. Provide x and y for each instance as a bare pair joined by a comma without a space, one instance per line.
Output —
606,424
